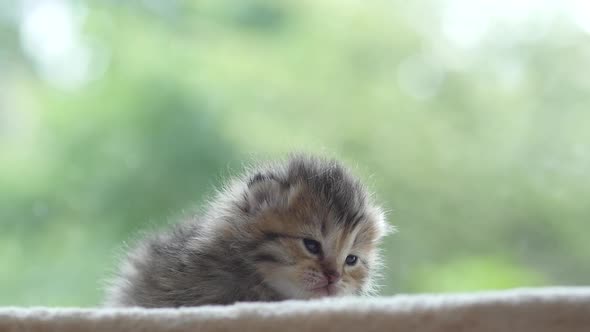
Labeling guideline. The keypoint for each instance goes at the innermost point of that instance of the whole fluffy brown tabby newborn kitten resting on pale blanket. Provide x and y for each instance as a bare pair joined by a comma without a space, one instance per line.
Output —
301,229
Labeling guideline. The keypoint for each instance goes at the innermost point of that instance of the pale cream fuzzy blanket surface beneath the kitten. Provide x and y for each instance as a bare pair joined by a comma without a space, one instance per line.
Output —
538,310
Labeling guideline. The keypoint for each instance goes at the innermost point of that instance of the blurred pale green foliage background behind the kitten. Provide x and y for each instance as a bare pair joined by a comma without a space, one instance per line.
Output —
469,119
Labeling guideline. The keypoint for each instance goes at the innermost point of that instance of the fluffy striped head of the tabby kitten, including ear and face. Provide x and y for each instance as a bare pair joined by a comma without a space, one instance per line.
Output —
314,229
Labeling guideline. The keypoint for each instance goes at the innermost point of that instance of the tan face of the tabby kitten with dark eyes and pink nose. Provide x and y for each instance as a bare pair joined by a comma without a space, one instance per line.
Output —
307,252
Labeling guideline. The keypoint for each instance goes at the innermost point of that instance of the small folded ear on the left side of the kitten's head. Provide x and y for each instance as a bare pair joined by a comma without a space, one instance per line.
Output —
266,191
